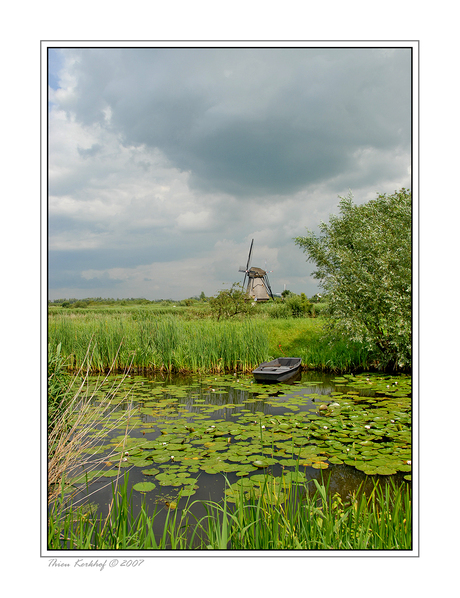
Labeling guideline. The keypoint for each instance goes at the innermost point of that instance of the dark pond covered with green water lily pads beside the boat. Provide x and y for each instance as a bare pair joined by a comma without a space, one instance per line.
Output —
188,438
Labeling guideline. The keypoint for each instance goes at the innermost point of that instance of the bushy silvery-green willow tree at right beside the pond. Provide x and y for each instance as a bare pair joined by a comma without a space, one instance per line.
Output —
363,262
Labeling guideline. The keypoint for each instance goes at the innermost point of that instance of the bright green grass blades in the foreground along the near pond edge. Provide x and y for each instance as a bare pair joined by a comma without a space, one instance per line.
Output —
301,520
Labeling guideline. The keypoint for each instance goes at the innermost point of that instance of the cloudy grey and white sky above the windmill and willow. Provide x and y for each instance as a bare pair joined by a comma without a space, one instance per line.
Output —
164,163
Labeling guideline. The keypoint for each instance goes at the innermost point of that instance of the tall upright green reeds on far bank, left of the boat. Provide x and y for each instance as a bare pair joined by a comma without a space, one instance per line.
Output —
164,343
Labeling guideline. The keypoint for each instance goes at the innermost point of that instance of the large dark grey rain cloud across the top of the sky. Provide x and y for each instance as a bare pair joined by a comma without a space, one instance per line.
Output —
282,120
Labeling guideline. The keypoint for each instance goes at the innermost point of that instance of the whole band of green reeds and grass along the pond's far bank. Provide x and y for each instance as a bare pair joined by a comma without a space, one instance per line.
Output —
152,342
